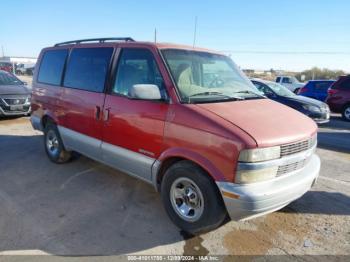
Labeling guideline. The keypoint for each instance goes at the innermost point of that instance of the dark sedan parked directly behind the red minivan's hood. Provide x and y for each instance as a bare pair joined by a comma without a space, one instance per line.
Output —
313,108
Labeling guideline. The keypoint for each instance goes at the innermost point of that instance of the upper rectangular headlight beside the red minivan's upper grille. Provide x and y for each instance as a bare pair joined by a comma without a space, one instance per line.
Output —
260,154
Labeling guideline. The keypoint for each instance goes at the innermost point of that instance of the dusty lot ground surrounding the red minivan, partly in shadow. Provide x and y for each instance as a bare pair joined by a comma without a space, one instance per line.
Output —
86,208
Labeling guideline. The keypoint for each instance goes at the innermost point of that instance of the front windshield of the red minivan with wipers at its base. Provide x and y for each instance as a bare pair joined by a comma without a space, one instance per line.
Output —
202,77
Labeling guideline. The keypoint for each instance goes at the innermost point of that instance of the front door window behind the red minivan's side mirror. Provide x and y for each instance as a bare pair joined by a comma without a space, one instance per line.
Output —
137,66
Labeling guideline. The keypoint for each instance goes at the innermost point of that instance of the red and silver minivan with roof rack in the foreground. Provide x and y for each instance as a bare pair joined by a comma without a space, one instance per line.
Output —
184,119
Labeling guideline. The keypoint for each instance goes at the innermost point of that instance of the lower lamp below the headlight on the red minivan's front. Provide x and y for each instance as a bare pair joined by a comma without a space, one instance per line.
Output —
252,176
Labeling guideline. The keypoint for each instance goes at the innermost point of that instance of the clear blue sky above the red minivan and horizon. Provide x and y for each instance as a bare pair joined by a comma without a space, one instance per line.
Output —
257,34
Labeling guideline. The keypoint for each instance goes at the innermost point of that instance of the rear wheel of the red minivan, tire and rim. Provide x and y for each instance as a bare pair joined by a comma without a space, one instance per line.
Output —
56,152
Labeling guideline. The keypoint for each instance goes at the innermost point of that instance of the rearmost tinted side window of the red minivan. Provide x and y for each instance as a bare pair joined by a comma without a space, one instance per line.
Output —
51,67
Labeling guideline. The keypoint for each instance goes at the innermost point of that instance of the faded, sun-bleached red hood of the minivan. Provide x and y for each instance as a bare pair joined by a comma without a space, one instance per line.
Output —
269,123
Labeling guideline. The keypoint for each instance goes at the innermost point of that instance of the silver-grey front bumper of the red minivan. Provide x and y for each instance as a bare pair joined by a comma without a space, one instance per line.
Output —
252,200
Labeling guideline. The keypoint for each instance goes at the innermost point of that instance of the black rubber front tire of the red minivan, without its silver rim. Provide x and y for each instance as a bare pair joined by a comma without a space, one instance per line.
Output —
213,213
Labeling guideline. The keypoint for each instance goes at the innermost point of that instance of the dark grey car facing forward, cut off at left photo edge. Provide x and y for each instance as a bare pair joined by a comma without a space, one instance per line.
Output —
14,96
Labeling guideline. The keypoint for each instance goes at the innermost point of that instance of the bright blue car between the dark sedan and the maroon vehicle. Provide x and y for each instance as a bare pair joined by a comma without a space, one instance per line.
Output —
316,89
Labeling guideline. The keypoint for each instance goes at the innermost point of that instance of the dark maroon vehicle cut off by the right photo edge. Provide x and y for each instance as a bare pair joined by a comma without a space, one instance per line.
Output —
338,97
